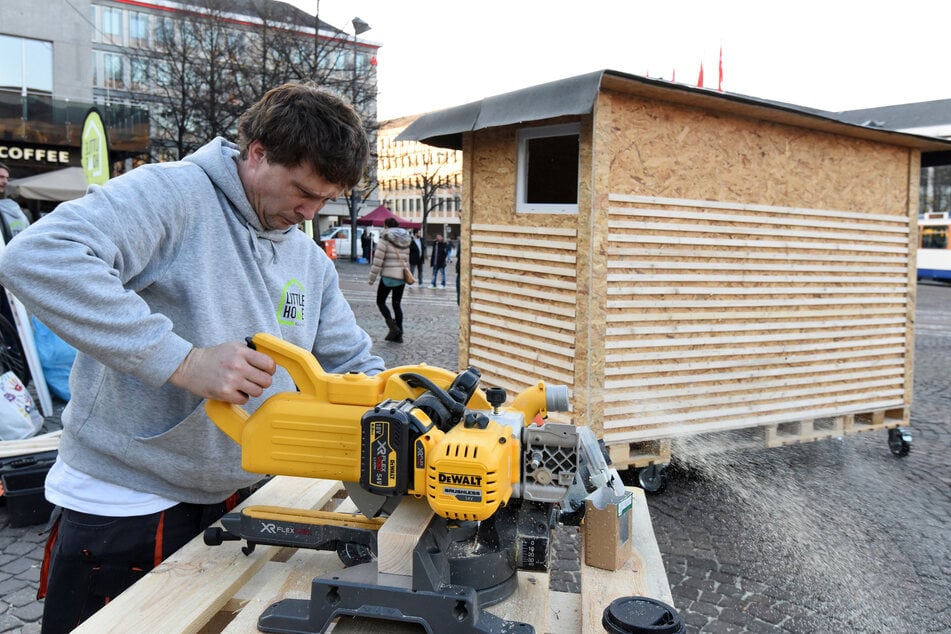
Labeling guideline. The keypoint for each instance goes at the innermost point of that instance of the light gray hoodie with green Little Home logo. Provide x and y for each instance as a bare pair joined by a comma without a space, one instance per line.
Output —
135,273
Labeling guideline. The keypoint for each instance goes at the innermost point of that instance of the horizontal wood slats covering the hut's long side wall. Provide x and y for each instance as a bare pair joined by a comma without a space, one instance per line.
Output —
726,316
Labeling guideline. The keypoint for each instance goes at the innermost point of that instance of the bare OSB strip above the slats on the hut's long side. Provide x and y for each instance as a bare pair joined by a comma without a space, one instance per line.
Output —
673,151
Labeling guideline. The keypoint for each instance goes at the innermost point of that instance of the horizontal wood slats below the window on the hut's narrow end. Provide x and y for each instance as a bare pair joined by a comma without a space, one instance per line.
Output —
523,293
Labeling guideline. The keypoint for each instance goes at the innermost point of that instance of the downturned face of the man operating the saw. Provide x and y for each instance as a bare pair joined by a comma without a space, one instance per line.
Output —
284,196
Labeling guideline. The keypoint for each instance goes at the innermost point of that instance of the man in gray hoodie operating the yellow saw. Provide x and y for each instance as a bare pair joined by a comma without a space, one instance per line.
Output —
156,278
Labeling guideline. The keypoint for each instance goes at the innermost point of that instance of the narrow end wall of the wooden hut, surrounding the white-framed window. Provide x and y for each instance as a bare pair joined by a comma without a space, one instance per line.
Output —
525,274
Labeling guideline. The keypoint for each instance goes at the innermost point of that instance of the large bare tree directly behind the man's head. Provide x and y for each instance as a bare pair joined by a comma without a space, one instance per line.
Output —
209,68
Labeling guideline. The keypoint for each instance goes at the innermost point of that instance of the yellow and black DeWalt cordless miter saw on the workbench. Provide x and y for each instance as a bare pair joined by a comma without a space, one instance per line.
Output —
496,478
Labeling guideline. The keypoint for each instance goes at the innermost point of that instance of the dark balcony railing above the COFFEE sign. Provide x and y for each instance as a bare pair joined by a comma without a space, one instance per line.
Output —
48,120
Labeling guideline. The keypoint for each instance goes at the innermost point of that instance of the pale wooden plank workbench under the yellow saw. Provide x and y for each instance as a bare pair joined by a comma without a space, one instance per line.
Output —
208,589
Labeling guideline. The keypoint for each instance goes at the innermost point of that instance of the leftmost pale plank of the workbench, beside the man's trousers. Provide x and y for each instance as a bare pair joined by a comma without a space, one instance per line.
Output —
193,584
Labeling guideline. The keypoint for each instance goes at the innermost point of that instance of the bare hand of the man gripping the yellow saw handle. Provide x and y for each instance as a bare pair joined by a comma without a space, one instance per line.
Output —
229,372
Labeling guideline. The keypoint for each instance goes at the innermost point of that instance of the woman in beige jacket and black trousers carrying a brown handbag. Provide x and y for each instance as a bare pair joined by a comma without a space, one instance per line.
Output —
390,263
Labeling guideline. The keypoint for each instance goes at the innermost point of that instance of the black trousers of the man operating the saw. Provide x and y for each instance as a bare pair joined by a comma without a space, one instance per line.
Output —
90,559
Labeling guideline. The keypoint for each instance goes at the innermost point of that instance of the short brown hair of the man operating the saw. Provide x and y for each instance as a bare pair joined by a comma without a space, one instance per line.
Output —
299,123
